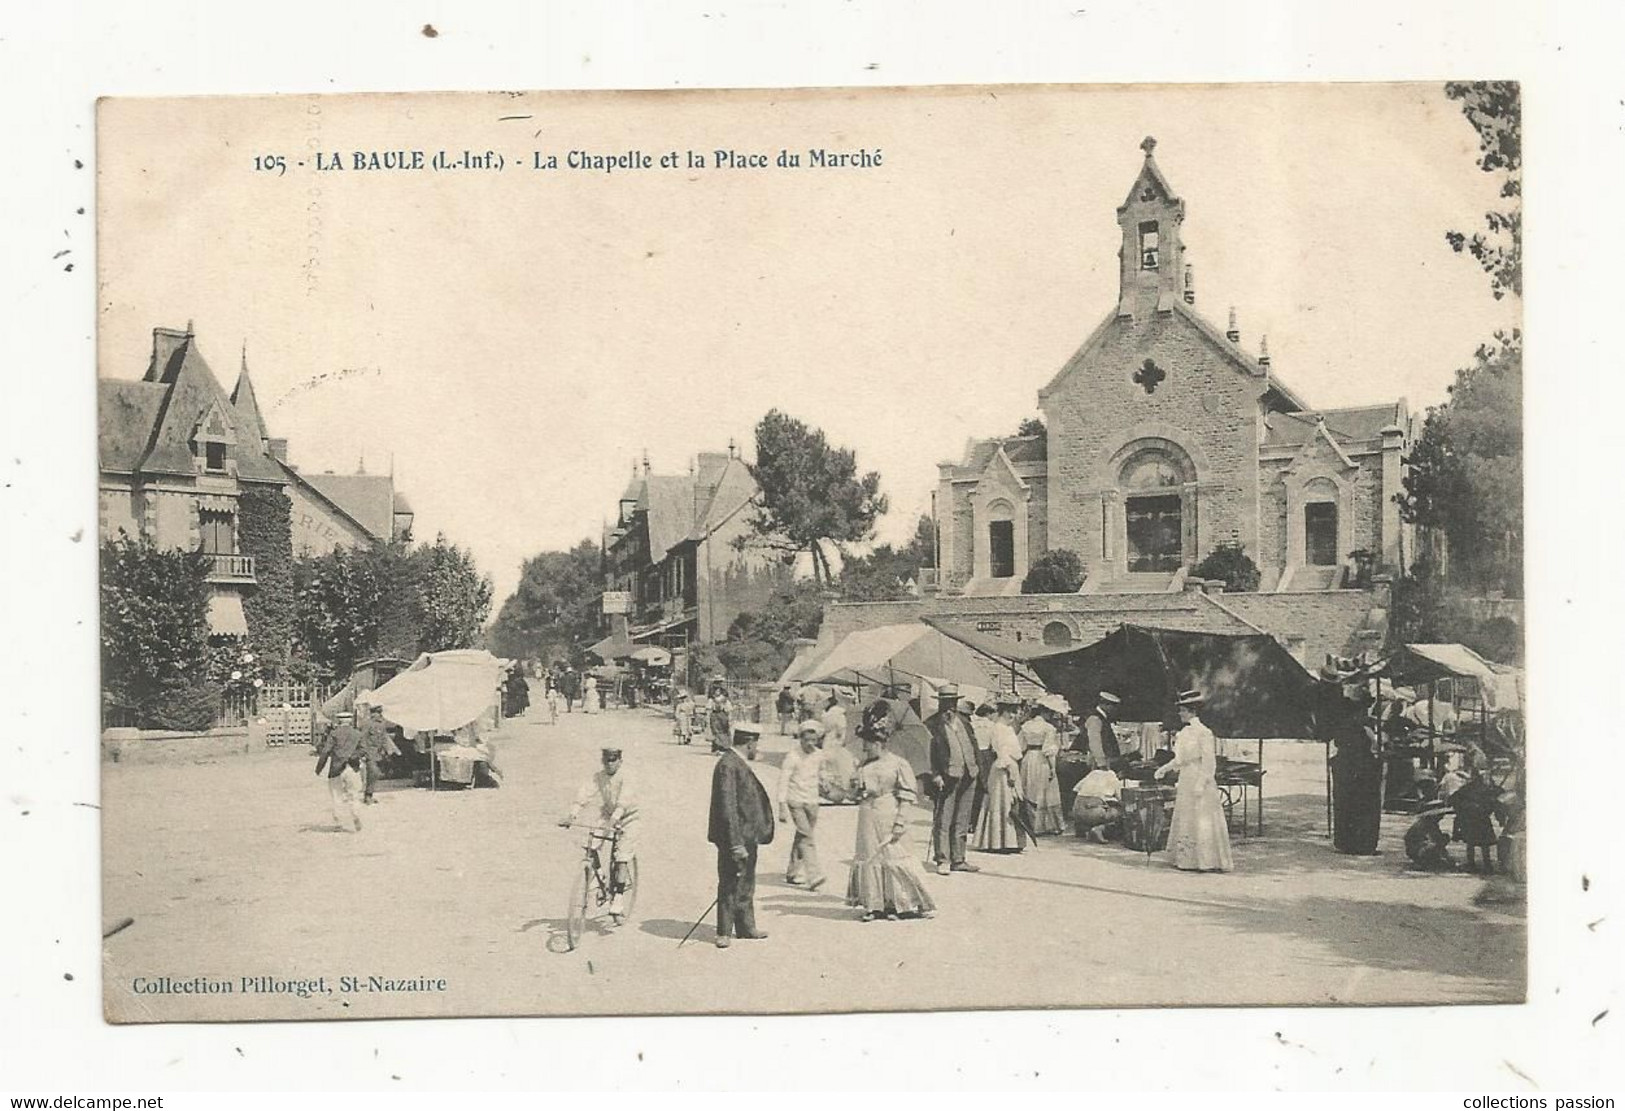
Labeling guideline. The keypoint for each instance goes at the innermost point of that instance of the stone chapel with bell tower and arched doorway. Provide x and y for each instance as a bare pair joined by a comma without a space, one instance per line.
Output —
1166,439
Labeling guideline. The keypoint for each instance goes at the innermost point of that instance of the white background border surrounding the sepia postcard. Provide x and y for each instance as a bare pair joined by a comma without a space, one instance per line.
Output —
56,61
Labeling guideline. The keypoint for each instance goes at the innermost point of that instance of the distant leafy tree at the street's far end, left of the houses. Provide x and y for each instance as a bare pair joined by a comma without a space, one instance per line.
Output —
553,613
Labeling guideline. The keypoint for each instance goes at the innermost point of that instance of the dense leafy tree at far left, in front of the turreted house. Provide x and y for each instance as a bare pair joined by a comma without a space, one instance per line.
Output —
155,634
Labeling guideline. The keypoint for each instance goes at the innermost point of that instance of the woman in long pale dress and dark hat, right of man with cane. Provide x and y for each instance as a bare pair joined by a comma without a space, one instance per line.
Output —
886,878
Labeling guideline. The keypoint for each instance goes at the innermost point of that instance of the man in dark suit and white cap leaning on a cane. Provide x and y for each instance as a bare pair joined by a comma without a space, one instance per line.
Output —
742,818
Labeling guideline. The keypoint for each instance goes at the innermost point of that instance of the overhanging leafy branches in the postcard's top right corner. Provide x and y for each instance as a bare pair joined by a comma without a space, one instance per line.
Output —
1496,113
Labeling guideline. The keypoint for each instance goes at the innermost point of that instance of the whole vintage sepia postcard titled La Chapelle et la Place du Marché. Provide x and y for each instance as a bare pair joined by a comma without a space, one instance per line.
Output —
812,551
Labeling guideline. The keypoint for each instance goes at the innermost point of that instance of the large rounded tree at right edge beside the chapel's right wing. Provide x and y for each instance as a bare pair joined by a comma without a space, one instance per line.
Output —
1465,477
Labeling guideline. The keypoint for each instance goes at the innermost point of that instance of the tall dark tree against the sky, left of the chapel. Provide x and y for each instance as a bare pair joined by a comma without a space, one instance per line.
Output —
812,493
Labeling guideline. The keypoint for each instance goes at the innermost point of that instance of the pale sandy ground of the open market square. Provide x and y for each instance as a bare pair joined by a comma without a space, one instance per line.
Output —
235,870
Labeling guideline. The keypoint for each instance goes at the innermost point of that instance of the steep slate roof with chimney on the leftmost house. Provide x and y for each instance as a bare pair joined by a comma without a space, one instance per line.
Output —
188,394
